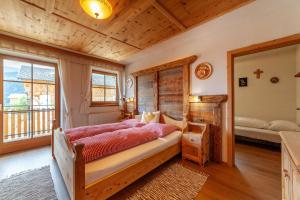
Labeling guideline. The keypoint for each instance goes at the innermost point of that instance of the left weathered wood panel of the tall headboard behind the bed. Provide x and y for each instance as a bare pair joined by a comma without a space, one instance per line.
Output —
145,89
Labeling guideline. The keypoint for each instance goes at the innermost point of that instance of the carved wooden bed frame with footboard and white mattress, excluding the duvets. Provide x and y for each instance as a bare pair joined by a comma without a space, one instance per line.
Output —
102,178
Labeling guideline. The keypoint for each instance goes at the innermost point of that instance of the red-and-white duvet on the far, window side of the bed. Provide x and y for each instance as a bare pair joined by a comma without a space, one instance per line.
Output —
88,131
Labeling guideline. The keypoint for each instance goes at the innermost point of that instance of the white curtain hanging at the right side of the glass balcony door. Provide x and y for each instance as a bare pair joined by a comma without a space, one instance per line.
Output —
66,85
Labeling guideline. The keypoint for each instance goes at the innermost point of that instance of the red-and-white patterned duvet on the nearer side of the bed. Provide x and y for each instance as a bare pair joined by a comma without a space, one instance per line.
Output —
102,145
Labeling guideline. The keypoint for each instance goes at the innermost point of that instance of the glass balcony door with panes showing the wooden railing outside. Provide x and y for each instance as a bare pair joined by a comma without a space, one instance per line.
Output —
29,99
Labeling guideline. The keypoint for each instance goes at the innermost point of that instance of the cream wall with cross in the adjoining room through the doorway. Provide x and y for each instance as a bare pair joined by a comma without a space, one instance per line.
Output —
262,99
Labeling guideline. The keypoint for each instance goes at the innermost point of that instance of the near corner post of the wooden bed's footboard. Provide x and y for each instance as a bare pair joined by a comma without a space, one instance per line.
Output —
79,172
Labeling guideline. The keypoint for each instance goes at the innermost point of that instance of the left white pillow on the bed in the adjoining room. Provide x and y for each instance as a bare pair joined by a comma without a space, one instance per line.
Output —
251,122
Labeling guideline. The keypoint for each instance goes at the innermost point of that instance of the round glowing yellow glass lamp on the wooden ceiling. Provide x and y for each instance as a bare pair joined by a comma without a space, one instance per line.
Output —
99,9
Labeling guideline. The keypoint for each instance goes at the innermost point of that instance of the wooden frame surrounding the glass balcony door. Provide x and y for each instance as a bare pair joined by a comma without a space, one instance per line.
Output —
31,142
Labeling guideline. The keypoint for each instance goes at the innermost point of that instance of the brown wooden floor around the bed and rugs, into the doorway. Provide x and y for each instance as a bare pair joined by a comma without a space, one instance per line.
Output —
256,176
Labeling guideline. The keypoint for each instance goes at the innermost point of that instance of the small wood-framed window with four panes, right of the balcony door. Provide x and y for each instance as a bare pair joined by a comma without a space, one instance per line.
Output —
104,88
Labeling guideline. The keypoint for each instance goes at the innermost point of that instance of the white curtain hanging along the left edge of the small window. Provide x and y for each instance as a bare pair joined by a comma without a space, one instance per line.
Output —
86,89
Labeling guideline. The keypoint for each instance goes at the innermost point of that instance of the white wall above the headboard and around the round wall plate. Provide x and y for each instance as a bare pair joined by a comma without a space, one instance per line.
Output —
257,22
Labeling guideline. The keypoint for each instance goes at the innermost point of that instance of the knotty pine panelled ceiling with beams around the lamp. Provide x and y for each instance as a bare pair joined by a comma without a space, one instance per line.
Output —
134,25
